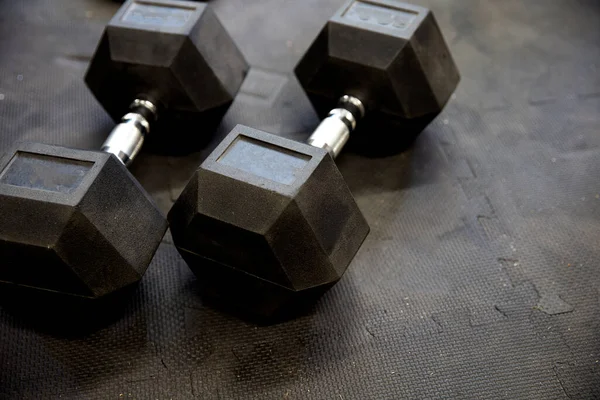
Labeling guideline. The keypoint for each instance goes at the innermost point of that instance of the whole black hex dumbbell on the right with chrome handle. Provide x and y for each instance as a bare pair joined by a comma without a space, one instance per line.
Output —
279,226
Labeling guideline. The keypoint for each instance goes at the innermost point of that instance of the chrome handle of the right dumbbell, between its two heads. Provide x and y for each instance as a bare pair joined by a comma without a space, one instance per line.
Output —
334,131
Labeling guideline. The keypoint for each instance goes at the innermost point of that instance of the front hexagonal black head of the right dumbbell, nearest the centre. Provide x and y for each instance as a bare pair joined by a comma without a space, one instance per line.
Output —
267,223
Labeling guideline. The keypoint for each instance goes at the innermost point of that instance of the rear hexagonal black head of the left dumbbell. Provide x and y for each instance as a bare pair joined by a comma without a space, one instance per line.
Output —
174,53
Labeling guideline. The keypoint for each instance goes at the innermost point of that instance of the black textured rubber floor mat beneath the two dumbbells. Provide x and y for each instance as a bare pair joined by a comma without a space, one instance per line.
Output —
480,278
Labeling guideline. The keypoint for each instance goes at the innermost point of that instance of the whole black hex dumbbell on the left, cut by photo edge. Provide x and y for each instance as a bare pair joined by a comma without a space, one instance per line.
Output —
76,222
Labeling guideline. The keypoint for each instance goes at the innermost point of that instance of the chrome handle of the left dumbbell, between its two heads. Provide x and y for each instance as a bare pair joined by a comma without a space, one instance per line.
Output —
127,138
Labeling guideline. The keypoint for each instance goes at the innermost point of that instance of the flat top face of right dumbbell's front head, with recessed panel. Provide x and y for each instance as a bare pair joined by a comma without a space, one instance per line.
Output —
264,160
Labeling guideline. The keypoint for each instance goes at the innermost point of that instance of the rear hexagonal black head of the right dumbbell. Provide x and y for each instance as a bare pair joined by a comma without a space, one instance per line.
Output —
390,55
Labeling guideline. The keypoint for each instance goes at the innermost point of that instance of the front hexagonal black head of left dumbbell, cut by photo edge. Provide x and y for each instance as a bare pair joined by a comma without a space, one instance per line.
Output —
74,222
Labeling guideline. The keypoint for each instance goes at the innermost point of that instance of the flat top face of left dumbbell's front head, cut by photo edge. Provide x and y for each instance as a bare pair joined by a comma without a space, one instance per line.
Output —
48,173
